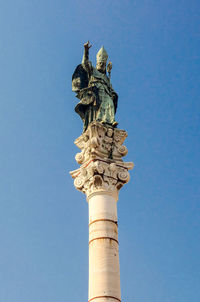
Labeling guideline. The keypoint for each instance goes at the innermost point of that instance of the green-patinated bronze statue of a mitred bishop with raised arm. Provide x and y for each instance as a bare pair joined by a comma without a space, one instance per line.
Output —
98,100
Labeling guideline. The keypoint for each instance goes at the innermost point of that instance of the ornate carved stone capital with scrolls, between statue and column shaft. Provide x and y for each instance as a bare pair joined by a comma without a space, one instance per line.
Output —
102,169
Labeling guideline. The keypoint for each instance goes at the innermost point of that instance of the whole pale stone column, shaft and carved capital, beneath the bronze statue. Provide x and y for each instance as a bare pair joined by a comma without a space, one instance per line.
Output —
101,175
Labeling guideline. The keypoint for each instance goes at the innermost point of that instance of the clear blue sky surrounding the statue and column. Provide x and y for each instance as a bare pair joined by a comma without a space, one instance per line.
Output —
155,50
